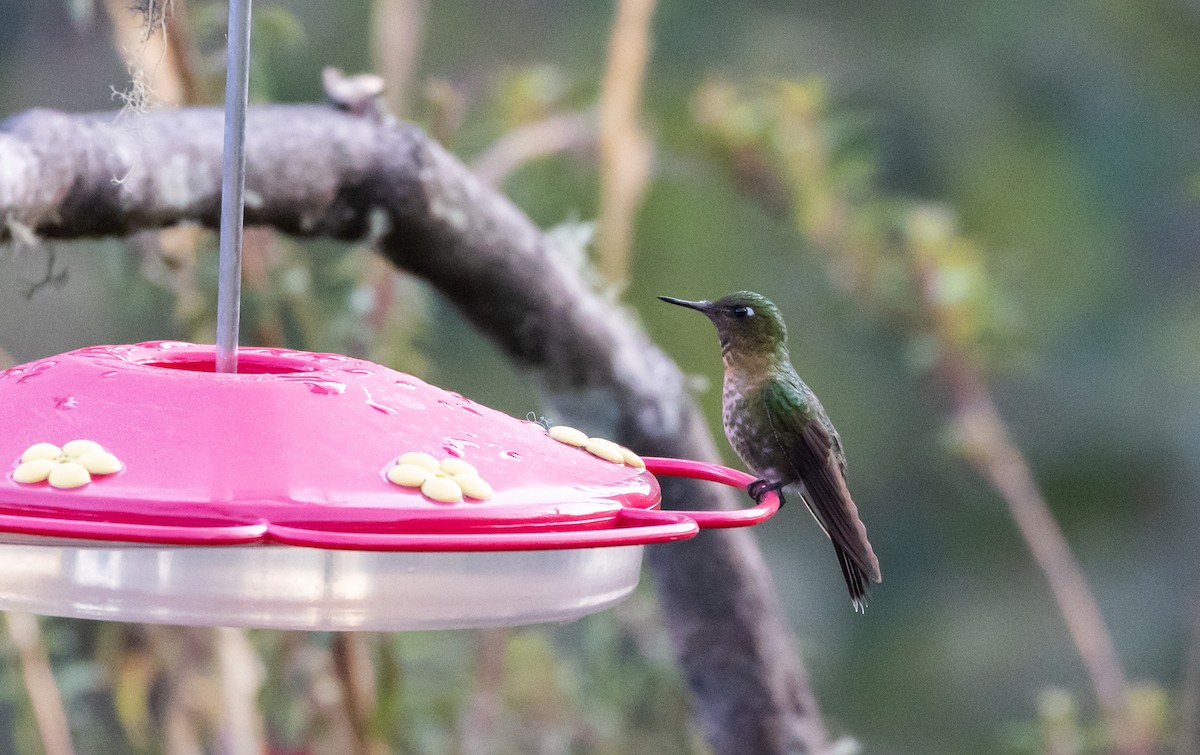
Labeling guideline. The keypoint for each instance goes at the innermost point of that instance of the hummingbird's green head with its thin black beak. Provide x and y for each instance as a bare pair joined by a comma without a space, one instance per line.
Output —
749,326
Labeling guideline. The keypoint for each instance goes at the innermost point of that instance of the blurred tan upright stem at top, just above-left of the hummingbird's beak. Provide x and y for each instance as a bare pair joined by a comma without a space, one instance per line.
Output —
626,152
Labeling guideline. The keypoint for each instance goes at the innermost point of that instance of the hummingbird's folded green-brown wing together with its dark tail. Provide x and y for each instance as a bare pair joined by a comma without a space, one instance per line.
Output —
811,452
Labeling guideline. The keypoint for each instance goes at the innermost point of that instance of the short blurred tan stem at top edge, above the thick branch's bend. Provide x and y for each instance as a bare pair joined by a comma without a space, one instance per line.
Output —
398,29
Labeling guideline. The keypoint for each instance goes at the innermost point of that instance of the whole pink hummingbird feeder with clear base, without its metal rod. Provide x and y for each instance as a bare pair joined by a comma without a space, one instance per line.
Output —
311,492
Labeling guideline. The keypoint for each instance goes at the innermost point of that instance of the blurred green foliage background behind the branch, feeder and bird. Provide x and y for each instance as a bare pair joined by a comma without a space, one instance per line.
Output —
1040,161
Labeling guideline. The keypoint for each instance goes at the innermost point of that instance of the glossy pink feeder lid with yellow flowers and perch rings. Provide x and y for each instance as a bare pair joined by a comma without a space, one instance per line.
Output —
147,444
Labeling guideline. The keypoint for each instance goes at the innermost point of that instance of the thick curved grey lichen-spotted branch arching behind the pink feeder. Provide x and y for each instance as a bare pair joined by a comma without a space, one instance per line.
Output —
317,172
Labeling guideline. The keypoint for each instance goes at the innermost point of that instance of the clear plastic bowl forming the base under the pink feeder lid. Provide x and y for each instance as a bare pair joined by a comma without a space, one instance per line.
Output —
287,588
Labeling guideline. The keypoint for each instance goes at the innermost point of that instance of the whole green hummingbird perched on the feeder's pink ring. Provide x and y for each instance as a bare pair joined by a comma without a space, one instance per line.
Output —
778,427
